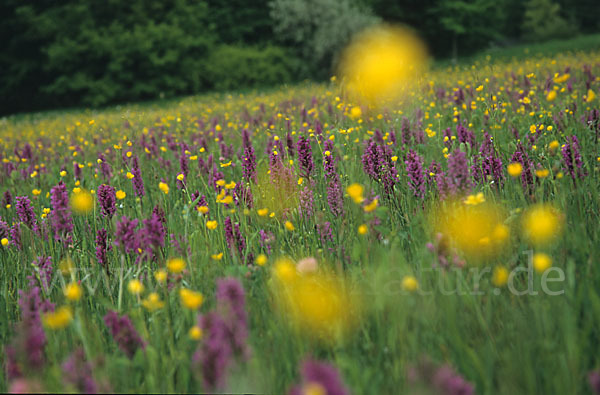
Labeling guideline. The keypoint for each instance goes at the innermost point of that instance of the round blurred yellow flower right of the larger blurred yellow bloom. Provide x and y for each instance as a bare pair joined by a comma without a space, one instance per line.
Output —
541,224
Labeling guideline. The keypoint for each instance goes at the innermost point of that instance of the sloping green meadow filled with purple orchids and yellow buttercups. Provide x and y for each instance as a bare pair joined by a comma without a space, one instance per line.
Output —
295,241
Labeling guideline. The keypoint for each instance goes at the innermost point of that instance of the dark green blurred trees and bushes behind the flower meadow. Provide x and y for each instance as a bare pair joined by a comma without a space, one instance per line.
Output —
95,52
